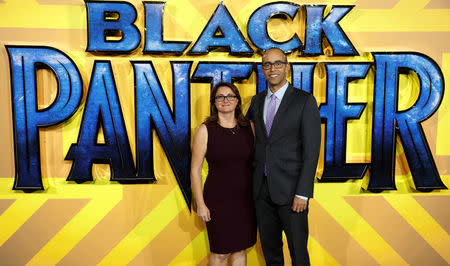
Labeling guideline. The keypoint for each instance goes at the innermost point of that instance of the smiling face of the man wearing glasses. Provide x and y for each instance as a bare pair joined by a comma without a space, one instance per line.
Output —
275,73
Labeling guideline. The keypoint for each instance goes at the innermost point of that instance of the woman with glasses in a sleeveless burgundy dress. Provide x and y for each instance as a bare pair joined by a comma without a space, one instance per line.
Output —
226,140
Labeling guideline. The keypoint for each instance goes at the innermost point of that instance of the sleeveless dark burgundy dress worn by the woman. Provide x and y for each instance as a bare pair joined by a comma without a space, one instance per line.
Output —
228,191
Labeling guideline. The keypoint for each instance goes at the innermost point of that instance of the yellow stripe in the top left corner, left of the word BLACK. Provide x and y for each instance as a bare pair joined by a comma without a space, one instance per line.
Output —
30,14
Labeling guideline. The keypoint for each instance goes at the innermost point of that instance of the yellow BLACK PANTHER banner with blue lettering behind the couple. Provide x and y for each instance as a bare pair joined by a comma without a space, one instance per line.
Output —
100,100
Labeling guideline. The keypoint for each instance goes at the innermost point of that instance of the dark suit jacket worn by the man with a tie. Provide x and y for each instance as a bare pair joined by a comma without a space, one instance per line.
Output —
291,150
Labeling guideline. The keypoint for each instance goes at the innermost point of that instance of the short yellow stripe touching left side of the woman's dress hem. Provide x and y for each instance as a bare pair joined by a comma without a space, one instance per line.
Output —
193,253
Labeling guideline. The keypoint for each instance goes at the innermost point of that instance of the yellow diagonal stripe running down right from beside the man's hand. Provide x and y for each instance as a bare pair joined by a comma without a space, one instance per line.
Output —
330,197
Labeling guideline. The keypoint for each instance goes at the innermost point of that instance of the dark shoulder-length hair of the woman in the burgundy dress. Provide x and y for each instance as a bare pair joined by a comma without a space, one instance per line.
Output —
242,121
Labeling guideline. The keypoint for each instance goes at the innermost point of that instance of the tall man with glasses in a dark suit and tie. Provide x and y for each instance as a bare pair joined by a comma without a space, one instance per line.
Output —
287,128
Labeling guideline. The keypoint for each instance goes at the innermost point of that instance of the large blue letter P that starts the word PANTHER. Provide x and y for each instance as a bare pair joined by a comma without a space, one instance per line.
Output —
24,62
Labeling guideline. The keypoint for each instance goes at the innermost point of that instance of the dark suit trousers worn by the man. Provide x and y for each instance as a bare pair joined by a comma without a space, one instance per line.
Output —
272,220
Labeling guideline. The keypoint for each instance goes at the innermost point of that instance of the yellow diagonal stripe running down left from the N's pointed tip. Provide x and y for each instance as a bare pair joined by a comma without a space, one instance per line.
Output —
146,230
